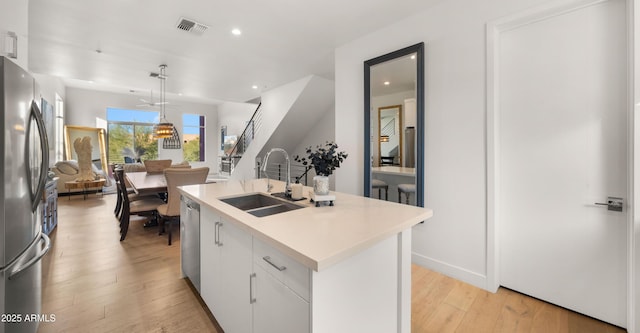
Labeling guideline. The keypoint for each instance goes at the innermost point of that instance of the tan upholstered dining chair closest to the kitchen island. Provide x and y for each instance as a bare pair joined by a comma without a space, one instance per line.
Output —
177,177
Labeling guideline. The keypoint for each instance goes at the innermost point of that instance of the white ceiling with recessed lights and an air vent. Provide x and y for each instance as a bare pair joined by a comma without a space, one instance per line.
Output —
114,45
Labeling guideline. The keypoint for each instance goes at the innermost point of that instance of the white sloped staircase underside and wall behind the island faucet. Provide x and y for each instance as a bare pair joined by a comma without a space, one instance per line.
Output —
286,118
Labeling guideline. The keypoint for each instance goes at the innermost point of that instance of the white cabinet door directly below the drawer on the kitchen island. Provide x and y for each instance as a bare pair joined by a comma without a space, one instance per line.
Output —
276,307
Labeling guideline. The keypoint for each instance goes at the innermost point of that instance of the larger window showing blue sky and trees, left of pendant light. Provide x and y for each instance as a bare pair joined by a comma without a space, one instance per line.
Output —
131,135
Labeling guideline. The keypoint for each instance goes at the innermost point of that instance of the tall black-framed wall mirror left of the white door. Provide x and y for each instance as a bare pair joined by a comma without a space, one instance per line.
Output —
394,126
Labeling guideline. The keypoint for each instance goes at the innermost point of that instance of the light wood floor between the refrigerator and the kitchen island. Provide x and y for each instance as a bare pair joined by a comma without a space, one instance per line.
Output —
93,282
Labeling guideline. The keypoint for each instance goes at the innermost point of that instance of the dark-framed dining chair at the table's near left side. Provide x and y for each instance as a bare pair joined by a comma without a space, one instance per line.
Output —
142,206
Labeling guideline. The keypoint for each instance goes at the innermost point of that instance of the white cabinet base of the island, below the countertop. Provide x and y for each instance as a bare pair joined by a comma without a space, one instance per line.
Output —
251,285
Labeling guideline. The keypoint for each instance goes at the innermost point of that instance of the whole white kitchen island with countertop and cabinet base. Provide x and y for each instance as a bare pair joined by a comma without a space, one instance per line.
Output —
342,268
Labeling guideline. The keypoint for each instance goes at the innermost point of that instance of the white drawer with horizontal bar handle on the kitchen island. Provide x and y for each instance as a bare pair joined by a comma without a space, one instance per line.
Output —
283,268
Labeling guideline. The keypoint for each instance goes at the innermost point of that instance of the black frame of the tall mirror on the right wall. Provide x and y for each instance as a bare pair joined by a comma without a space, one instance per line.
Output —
420,123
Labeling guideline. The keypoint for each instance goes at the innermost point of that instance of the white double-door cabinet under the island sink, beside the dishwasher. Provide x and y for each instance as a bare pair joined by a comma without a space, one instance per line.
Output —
226,270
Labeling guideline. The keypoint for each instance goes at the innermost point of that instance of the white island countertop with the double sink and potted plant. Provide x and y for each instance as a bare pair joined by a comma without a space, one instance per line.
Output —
317,237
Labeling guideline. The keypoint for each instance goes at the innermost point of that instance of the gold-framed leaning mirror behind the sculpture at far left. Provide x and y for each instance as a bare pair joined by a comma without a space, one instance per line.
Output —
97,135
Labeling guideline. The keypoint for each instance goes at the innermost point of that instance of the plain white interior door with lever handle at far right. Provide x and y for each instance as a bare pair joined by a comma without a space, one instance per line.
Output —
562,143
